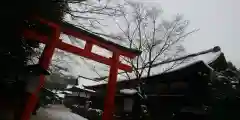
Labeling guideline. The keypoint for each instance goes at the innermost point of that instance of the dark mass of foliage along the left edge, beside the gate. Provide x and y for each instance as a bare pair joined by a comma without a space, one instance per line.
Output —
15,51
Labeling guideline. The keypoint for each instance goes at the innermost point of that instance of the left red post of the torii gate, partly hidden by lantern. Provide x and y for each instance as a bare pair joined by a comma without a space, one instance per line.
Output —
44,61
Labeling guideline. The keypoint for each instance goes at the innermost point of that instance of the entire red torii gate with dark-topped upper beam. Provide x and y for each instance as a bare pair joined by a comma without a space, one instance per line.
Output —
91,39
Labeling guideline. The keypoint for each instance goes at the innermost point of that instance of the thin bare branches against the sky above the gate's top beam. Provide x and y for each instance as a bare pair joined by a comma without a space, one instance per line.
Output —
89,14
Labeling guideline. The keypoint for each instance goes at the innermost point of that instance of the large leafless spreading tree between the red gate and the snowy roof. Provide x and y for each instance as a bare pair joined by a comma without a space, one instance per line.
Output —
143,28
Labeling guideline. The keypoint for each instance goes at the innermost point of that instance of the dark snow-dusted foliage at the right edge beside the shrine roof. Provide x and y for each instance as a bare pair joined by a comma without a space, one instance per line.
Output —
225,92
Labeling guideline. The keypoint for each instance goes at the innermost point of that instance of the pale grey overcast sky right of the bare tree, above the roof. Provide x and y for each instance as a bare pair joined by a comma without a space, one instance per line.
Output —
218,20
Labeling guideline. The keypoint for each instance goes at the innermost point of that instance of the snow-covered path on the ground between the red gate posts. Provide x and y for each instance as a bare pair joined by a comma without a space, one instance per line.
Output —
56,112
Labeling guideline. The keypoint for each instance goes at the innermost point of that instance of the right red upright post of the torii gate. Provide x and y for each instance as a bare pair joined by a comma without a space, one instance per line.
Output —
111,88
